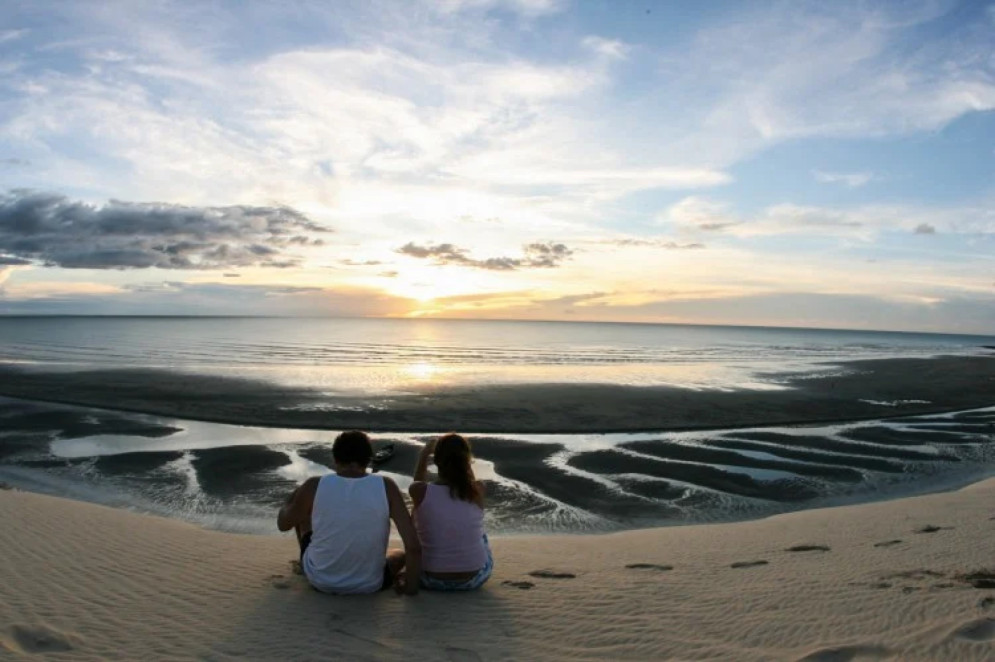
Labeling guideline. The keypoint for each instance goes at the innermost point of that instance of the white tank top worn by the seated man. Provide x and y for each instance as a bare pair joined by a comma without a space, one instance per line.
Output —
350,525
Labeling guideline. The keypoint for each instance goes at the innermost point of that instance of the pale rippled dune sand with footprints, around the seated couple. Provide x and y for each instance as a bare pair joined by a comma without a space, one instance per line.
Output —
79,581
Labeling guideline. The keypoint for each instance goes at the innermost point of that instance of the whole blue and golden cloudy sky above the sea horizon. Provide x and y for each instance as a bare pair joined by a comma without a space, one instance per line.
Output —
765,163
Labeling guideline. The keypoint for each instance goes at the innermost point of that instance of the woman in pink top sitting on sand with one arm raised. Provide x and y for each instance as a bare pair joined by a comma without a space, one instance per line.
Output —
449,518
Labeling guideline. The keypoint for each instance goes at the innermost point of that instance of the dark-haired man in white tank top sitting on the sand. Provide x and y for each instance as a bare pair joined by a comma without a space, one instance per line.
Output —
342,521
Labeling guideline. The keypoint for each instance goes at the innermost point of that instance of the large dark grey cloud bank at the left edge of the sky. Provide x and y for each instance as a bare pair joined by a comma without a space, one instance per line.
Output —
56,231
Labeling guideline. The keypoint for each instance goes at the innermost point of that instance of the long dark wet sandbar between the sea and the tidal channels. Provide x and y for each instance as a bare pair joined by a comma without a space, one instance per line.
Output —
919,386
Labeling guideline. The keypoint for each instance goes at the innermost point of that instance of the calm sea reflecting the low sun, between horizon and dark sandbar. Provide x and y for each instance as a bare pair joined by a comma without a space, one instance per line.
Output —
383,355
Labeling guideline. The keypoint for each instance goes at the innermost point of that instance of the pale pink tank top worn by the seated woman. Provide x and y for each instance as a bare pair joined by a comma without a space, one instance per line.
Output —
451,532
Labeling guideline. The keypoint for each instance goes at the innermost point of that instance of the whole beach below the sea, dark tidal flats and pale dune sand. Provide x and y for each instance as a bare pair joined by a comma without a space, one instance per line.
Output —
837,512
